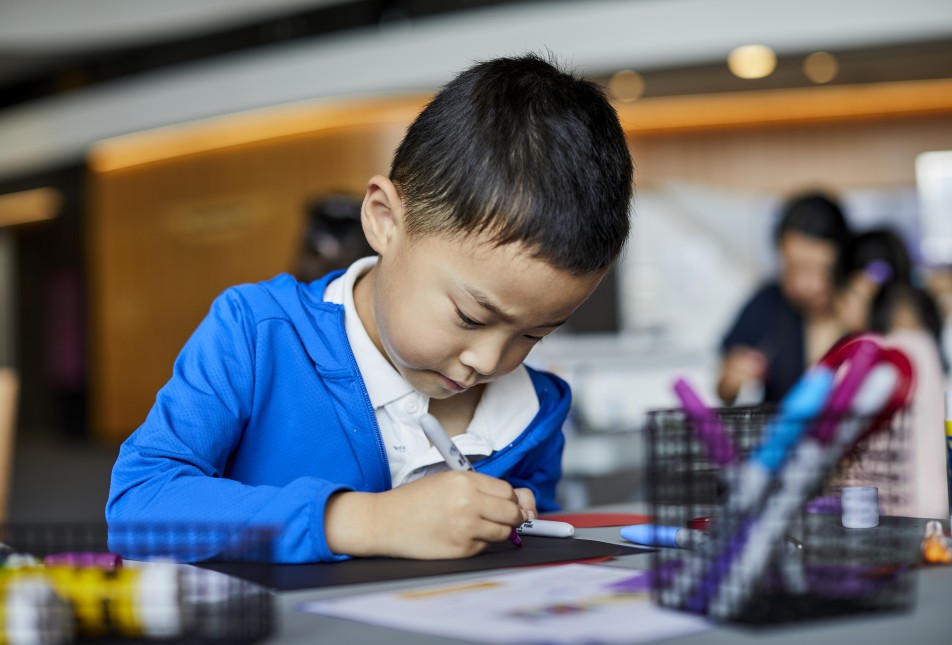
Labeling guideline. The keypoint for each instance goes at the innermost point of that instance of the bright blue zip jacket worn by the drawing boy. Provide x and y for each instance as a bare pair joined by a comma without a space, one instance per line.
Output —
265,417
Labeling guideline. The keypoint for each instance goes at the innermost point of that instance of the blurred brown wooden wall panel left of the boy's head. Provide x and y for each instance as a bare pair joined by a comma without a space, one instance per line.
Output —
168,235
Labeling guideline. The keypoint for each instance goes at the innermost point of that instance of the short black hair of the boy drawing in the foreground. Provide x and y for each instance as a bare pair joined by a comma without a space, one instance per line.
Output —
523,151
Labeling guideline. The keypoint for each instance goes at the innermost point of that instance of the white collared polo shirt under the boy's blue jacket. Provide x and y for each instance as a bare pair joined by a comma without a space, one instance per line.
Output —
505,409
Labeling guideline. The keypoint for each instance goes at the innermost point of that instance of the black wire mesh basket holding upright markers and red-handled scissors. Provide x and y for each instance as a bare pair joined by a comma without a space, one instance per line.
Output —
777,551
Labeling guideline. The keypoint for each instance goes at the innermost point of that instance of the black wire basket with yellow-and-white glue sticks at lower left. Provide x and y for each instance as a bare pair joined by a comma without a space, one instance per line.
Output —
61,583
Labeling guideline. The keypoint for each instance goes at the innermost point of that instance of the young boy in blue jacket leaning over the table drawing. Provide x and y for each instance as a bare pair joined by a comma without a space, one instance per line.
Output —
298,405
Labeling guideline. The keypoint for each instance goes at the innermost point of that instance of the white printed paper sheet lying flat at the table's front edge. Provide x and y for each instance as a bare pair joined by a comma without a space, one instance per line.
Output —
569,604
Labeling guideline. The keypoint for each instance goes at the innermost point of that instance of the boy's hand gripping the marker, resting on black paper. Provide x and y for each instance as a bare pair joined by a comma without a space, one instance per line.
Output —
453,514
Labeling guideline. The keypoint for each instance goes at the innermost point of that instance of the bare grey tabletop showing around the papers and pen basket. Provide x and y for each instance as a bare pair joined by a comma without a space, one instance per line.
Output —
928,621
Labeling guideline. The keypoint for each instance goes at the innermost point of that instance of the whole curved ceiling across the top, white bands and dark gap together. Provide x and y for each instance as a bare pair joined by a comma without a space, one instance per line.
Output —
75,72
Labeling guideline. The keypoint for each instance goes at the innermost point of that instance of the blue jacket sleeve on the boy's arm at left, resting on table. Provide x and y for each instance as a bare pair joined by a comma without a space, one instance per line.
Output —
168,495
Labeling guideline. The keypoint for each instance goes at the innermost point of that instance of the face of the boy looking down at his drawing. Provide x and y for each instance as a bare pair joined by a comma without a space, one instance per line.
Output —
450,314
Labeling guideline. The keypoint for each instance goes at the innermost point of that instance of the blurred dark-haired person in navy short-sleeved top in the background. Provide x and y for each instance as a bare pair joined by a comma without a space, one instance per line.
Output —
788,323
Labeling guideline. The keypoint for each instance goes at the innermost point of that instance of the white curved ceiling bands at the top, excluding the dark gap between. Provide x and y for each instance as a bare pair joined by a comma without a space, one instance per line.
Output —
589,35
